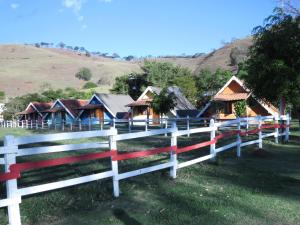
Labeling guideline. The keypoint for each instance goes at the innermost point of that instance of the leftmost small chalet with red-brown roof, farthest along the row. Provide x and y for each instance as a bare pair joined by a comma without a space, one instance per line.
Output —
34,111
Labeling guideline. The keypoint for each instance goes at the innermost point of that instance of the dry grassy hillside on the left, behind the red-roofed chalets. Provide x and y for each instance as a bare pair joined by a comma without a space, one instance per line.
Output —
24,69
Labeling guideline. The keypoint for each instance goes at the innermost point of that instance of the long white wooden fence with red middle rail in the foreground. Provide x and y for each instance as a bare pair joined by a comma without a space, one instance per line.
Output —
13,149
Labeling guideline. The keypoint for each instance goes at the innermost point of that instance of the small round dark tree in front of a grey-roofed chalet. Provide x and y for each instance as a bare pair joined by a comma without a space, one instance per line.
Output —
163,102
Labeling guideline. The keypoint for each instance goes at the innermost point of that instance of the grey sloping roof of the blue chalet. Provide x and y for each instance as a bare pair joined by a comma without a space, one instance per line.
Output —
115,104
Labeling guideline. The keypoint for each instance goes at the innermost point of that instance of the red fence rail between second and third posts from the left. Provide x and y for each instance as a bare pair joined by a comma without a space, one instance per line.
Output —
140,154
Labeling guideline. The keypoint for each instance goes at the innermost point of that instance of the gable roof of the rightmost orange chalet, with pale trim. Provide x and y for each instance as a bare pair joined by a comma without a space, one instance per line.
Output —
237,96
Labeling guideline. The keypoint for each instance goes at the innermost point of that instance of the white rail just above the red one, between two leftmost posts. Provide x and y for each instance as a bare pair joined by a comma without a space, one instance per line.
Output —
61,148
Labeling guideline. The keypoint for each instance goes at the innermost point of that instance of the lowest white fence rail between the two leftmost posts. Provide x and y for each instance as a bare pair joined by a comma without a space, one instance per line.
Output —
64,183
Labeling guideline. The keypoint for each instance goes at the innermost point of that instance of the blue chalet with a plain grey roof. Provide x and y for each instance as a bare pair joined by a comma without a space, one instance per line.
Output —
105,107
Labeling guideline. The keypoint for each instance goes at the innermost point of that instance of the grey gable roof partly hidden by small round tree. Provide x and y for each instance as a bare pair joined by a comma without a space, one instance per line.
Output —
182,103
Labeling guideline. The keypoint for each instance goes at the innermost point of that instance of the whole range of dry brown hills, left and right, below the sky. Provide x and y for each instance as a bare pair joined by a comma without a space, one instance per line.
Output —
24,69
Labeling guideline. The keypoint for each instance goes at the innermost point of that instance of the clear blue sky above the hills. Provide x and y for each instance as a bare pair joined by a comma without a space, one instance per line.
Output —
138,27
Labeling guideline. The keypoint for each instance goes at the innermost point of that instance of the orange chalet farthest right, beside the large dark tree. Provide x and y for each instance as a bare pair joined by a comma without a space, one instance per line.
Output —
222,104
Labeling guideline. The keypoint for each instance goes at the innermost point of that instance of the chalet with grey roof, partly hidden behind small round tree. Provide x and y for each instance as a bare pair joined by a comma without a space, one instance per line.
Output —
141,108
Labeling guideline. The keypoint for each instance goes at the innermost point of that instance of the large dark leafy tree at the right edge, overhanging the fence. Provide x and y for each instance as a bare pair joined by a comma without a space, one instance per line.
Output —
273,65
